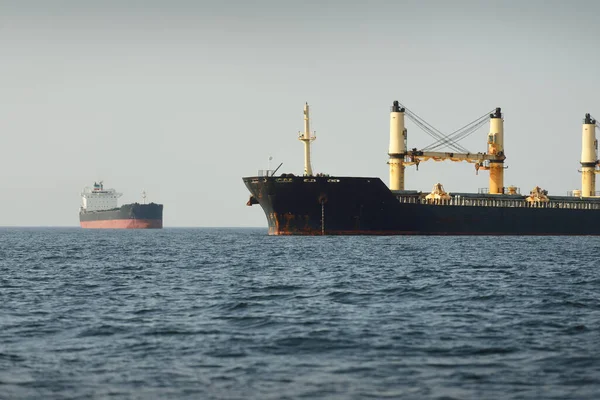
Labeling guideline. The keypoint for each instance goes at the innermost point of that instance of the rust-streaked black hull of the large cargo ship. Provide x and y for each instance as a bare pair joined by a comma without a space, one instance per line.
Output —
365,206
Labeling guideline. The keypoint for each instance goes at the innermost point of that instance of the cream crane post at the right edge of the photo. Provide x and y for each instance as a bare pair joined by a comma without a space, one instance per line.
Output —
589,157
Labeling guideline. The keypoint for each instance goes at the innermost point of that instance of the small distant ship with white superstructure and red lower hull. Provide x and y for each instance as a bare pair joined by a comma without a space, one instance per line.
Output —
99,209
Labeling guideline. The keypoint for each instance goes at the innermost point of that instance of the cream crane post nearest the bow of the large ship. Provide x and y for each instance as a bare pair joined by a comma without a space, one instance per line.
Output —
397,149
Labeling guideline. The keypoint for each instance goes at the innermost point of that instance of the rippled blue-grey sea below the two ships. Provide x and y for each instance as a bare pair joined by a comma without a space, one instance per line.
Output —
232,313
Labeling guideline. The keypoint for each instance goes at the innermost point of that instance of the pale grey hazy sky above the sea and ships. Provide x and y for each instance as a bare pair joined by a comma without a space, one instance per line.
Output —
182,99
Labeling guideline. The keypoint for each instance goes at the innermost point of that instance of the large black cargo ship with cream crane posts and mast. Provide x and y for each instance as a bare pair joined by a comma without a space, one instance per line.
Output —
336,205
